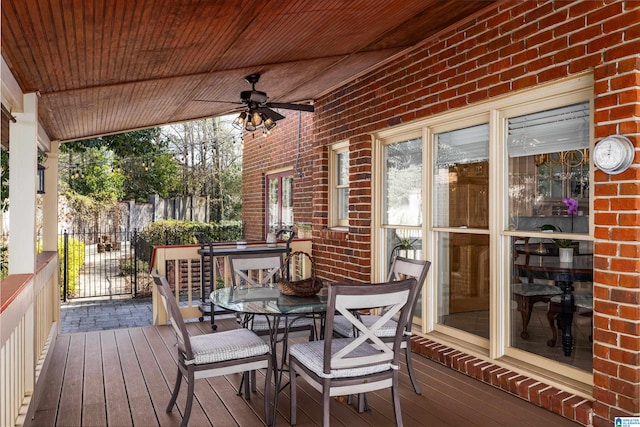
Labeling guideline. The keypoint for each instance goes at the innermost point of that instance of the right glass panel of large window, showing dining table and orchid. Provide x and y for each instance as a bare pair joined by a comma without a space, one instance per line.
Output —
548,152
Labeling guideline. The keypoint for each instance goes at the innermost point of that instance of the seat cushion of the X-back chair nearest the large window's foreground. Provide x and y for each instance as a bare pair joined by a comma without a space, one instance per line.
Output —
310,354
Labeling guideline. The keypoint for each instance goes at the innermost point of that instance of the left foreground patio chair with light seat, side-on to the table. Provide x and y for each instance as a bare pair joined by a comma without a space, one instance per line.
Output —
215,354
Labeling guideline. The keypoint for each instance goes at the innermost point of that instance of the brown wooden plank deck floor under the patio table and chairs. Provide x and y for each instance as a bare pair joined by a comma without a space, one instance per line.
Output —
123,377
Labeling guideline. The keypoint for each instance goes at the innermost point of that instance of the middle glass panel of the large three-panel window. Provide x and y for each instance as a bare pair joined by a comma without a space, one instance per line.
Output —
461,190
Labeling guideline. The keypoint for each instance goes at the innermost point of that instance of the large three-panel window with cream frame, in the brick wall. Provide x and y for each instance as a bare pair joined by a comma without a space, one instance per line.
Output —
500,178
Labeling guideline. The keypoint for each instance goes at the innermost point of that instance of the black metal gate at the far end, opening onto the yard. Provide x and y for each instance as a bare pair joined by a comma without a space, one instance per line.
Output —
99,263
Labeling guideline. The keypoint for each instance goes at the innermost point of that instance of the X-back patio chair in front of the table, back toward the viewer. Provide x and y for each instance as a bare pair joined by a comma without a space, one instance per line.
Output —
345,366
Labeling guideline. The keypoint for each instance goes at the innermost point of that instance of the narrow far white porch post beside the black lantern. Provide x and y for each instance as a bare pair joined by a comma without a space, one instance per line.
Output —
50,200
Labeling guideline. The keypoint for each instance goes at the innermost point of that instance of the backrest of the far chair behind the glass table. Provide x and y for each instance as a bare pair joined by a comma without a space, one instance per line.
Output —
255,269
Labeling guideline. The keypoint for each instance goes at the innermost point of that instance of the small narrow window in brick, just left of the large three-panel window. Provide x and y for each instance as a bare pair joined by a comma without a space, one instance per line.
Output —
339,184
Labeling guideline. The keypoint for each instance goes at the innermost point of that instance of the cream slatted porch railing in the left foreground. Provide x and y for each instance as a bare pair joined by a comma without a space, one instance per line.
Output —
28,318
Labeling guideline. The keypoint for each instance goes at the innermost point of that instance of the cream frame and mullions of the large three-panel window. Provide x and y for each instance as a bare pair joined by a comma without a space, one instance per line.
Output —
555,94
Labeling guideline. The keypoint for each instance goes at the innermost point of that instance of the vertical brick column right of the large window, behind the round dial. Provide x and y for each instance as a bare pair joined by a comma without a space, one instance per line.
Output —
616,287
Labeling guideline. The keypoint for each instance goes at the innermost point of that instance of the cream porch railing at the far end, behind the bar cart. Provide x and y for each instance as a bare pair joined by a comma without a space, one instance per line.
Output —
183,259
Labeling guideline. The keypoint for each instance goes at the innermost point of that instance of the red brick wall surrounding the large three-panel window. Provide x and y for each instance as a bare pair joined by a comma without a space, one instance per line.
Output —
510,46
